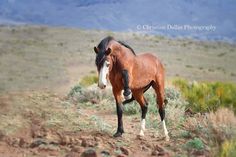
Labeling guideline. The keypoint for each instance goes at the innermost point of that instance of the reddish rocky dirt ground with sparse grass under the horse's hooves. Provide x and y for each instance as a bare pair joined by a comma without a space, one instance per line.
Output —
48,125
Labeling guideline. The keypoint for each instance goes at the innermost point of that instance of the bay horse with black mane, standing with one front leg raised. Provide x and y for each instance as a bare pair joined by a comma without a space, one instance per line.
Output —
144,71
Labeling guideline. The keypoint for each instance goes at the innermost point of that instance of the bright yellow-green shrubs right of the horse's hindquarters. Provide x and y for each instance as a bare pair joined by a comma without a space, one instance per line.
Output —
205,97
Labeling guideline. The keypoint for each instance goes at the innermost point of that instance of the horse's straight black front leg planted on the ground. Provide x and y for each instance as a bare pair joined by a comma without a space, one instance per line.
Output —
119,111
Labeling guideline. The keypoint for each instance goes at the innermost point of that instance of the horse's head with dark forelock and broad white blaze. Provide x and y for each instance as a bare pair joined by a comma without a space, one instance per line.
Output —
103,63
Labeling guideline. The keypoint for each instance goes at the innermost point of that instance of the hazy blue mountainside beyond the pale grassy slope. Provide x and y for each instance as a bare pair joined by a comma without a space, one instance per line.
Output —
124,15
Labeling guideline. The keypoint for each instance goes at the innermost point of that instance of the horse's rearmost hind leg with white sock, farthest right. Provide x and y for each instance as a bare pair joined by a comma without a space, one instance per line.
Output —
160,92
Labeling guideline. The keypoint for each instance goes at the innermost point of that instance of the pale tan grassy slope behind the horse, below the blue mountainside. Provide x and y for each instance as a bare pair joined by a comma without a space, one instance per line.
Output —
36,57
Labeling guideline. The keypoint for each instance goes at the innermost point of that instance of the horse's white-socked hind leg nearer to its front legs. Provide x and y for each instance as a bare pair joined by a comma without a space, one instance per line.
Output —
144,106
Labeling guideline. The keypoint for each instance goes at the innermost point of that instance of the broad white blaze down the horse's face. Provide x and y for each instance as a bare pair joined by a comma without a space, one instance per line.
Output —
102,82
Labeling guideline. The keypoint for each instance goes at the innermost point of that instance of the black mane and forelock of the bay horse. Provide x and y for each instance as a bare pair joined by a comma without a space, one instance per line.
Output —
102,48
